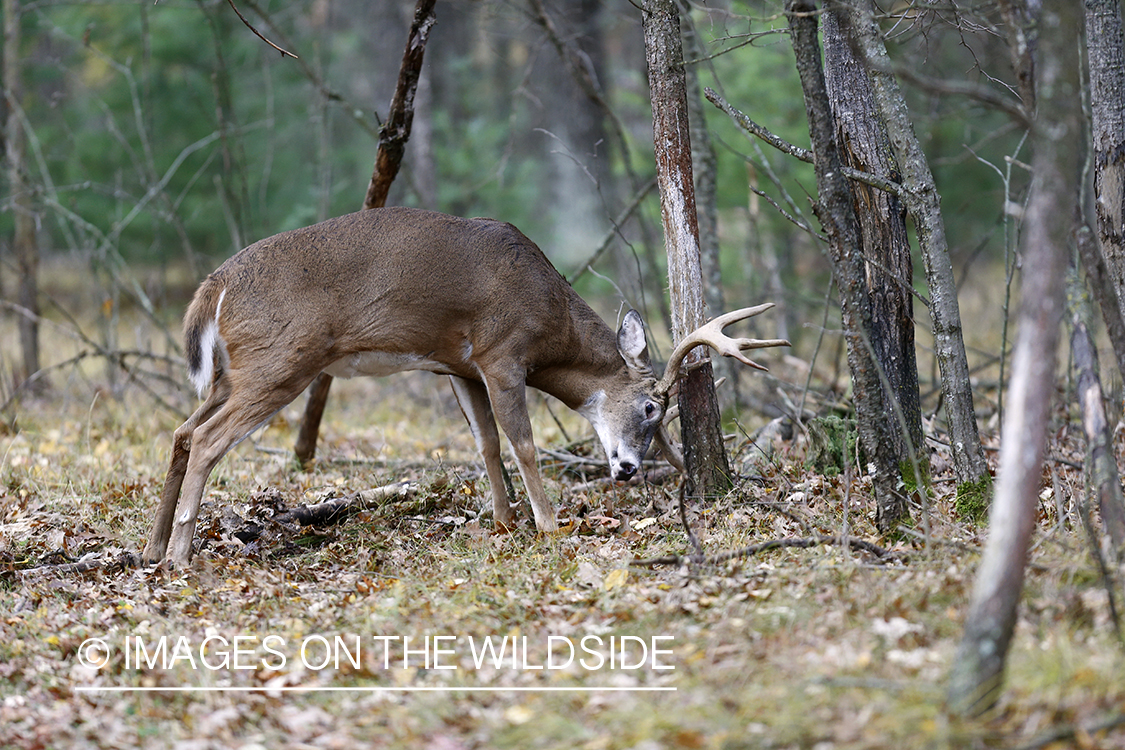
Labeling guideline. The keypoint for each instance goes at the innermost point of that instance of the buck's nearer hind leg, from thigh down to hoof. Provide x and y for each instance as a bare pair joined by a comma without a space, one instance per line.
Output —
247,409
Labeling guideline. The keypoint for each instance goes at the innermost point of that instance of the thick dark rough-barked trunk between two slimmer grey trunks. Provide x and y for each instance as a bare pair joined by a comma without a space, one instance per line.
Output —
863,144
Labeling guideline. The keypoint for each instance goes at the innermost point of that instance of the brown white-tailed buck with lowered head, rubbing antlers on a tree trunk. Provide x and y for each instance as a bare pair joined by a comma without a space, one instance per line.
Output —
394,290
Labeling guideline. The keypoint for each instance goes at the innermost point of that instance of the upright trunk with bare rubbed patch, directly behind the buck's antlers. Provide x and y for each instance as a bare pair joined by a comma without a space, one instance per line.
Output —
706,462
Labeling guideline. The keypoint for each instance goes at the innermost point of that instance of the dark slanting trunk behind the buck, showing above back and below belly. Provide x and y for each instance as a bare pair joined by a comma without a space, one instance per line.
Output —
393,139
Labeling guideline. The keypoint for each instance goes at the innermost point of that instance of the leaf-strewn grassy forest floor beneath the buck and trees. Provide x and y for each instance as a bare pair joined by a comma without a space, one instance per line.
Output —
411,624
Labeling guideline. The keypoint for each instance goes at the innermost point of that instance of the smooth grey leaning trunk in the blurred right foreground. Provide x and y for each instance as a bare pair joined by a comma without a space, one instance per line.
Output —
978,672
